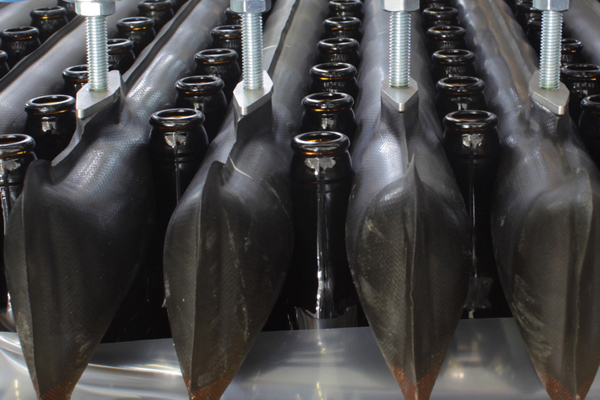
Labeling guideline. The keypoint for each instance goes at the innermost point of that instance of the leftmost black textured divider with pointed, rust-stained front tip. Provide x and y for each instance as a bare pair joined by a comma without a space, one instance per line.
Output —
76,236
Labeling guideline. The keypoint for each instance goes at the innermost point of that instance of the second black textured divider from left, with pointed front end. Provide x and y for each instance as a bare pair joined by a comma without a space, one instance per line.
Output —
229,241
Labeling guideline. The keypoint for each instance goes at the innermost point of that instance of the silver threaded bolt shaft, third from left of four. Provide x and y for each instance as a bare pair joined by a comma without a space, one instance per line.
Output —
399,49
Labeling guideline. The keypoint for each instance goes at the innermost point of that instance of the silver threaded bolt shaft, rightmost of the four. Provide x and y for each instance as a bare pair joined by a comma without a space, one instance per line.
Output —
550,50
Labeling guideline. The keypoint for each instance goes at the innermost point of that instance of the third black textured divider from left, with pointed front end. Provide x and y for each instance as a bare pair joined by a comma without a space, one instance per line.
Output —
407,225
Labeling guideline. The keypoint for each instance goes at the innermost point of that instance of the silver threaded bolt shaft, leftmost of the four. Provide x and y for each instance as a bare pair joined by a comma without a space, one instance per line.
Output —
97,52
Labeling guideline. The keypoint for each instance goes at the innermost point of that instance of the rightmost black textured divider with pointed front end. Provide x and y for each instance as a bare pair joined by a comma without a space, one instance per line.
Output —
545,224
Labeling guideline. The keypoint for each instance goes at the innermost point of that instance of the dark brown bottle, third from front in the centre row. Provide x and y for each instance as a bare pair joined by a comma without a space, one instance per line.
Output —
334,77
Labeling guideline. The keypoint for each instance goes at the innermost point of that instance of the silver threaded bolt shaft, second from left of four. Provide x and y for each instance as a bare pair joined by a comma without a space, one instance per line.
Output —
252,43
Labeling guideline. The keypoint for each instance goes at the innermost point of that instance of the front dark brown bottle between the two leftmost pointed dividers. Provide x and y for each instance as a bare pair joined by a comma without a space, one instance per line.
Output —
178,143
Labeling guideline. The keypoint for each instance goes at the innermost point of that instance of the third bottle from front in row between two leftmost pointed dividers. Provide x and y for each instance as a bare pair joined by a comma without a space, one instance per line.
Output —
222,63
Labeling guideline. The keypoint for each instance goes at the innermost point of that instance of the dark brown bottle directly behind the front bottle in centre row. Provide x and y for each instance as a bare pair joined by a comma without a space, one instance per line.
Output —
329,112
